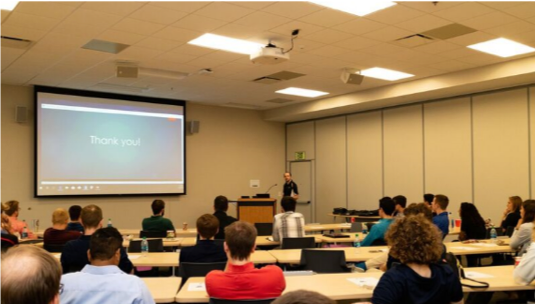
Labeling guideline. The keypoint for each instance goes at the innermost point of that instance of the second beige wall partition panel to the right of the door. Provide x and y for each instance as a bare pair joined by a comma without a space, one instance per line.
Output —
364,160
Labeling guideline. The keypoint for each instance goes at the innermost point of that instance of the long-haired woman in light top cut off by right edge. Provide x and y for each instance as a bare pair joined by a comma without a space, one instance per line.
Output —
521,238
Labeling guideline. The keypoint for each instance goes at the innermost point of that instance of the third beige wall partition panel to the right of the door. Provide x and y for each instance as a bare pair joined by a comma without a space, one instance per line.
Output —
403,152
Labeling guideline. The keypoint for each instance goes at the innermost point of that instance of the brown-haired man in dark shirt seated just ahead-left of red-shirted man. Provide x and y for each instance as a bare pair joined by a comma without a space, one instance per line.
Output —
206,250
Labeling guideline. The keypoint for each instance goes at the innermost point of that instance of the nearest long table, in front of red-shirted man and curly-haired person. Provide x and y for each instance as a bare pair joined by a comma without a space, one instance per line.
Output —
351,286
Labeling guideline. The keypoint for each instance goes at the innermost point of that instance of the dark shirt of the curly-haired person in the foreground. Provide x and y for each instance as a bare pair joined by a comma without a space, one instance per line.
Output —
402,285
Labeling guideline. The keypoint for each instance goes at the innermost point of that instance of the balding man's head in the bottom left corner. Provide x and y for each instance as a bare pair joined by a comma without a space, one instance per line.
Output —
29,275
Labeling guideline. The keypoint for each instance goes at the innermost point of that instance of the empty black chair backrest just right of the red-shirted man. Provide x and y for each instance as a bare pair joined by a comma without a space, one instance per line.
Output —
324,261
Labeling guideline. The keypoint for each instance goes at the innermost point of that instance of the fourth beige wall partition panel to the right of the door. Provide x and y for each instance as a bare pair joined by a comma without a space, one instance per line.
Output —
448,150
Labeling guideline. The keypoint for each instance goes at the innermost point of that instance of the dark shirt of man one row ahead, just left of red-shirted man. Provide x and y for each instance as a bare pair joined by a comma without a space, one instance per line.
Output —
205,251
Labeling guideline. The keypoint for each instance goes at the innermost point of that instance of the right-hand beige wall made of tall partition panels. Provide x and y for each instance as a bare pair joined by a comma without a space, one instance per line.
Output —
477,148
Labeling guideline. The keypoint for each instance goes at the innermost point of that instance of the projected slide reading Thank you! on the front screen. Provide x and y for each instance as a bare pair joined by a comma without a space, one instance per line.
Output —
103,146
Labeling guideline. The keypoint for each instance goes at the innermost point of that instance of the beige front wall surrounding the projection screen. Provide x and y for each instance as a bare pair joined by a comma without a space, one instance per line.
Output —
232,147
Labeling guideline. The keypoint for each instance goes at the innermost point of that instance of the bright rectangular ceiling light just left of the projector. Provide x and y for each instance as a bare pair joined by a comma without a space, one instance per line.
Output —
226,44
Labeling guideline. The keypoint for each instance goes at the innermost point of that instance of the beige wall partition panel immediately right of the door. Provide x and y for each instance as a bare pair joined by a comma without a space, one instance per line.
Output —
331,179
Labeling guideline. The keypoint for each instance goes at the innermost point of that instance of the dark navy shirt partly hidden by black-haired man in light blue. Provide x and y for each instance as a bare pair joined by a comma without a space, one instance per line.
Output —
74,256
